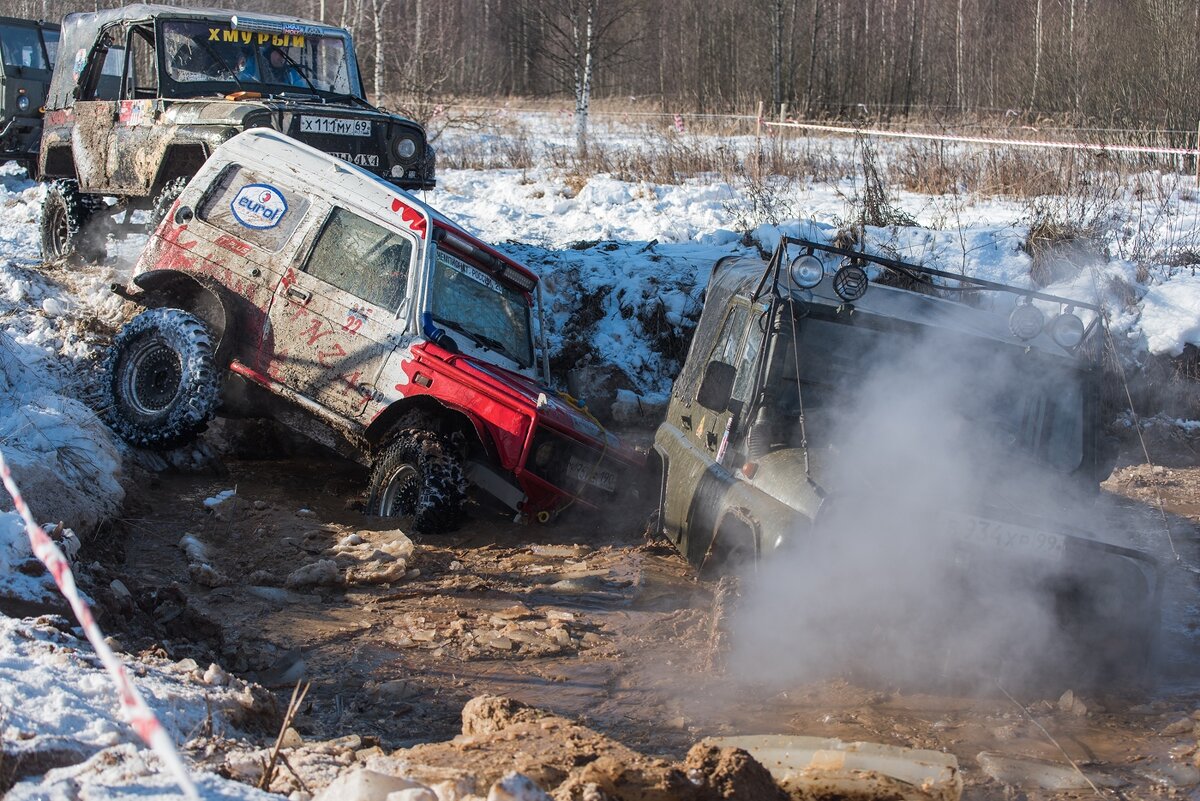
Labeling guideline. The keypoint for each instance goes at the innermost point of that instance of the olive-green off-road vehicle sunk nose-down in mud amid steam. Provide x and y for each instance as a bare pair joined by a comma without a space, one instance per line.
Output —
754,449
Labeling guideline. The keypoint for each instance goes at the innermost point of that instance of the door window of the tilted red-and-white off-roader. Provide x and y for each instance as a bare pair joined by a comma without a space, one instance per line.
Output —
362,258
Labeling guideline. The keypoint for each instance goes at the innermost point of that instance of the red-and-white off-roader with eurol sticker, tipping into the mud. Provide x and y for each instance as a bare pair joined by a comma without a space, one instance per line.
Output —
286,282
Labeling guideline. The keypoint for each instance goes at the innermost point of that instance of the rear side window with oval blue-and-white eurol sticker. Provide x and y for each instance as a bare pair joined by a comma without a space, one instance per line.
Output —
254,209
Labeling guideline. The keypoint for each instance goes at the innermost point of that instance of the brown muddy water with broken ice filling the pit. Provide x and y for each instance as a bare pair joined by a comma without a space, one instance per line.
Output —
584,618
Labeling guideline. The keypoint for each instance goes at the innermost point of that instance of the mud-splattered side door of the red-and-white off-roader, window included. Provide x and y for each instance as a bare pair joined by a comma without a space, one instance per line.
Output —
337,314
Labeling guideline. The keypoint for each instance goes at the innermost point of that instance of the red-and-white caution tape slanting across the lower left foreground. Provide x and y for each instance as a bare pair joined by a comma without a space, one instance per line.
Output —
134,707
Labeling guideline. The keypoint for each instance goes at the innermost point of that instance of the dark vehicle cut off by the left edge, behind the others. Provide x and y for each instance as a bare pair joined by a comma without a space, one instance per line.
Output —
28,50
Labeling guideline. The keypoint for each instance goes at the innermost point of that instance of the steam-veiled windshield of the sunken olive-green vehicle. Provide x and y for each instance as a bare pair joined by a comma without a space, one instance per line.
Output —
1013,400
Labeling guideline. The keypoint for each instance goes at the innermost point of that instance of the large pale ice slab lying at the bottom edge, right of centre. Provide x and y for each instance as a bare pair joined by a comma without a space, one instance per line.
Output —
868,770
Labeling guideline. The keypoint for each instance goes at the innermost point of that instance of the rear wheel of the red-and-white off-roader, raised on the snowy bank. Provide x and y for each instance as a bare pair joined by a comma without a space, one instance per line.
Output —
163,384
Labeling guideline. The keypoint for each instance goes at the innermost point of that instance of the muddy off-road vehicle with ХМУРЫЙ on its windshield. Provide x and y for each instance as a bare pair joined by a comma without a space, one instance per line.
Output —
145,94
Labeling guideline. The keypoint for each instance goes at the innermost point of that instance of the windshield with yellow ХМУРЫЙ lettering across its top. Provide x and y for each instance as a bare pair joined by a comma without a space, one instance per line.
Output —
211,52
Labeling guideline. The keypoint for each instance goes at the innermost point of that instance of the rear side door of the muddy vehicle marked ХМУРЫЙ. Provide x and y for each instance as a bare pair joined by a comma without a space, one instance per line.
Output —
97,111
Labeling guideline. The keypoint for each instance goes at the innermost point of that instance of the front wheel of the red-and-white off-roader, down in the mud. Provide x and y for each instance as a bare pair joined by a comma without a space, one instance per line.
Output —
421,477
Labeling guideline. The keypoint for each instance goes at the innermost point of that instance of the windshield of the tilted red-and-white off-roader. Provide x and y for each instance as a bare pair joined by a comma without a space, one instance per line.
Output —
473,305
